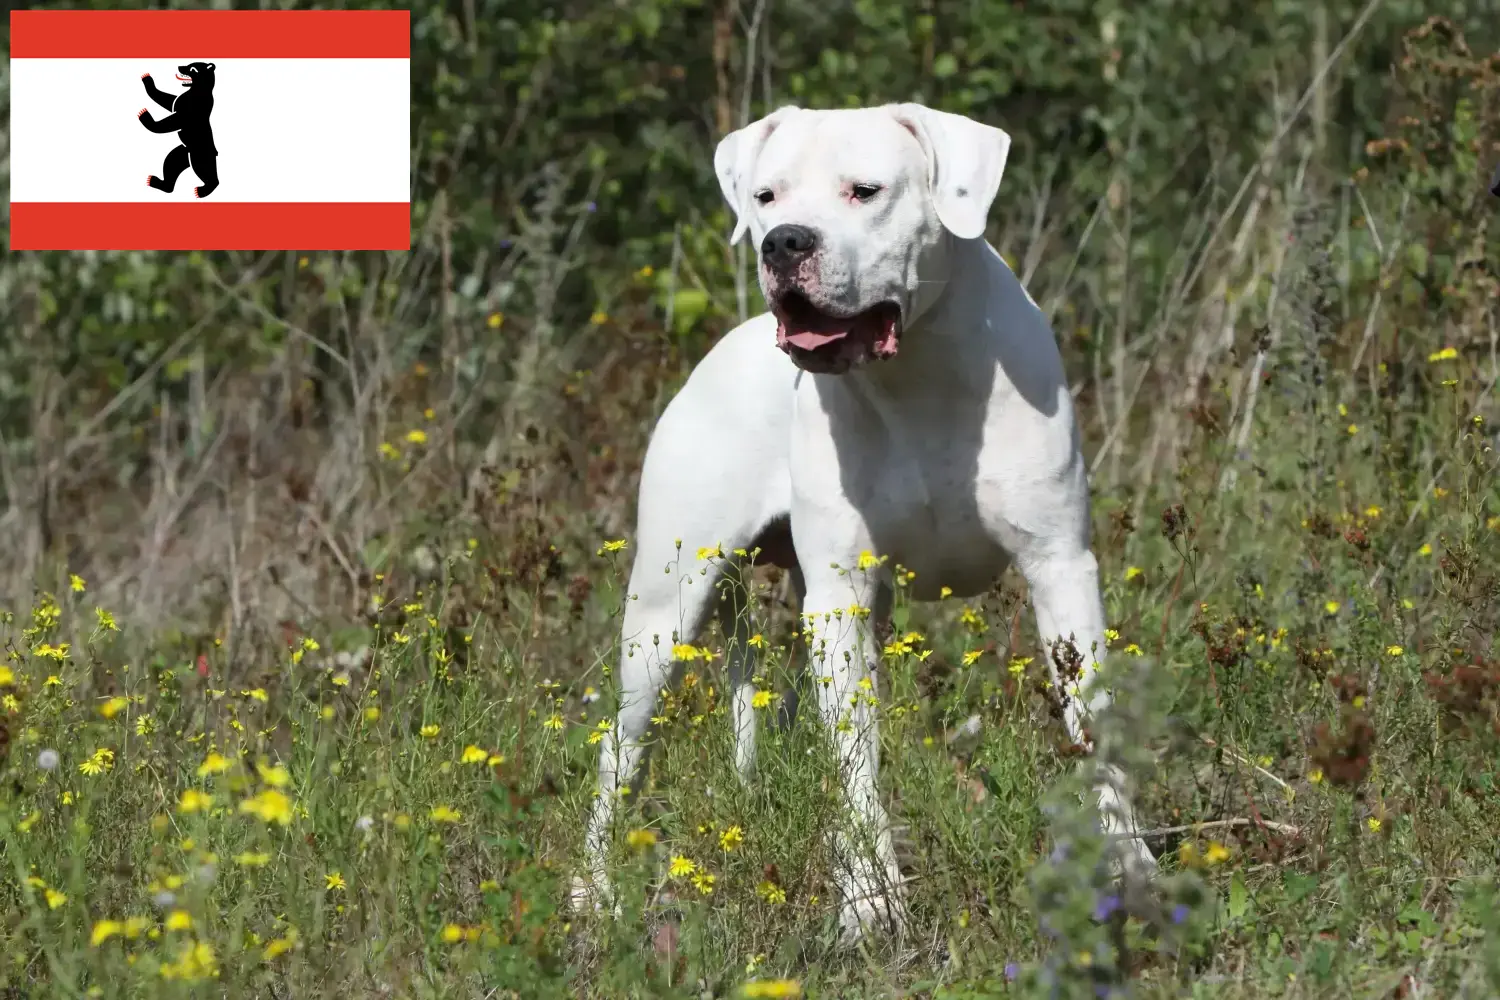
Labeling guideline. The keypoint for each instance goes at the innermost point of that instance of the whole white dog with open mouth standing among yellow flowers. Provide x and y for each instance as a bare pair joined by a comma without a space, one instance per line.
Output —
904,398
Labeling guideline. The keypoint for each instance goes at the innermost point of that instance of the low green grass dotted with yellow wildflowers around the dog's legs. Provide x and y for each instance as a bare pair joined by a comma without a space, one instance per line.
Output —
436,788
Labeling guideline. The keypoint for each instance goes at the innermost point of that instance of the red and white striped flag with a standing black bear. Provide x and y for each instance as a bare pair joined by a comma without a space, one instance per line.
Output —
211,130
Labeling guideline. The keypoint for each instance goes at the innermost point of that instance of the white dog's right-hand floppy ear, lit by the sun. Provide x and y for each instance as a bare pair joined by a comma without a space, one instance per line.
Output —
965,163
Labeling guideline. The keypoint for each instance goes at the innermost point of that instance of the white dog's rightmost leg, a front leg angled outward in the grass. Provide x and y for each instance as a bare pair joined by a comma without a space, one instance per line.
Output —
1070,620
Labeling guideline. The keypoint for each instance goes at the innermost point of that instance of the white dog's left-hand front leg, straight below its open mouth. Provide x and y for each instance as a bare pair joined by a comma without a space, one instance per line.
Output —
842,657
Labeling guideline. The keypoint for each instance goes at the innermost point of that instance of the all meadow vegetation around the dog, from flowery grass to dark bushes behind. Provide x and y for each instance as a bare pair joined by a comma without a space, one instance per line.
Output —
316,561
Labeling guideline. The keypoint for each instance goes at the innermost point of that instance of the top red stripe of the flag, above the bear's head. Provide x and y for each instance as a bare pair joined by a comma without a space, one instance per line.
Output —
211,35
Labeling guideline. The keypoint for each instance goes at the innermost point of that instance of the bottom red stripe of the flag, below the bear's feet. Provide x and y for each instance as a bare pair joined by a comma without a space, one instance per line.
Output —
227,226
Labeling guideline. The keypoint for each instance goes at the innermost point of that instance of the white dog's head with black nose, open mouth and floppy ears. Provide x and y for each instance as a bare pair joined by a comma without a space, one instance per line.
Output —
851,214
